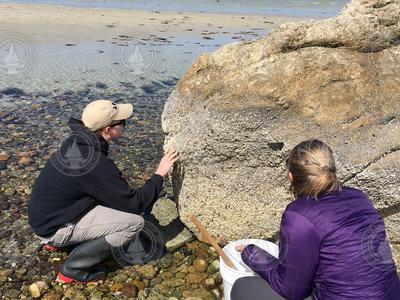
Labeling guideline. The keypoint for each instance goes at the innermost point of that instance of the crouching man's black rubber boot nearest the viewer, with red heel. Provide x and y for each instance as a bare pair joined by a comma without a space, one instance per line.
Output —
82,264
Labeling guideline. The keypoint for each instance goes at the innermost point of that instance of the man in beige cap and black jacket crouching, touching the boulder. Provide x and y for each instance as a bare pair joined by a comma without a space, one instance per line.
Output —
81,196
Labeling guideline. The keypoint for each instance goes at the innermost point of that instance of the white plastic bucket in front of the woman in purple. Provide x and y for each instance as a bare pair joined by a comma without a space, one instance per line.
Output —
230,275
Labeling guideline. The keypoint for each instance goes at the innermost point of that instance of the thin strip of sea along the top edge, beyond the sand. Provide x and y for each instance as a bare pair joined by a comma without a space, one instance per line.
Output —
304,8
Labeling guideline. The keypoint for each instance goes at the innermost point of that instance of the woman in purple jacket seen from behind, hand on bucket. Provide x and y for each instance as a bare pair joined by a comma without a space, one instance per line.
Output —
332,240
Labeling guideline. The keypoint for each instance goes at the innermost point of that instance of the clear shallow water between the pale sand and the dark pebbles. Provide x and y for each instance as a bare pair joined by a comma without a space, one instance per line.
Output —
59,67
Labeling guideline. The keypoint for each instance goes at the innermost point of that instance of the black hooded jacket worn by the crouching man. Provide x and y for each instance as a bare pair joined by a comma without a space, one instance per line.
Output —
63,194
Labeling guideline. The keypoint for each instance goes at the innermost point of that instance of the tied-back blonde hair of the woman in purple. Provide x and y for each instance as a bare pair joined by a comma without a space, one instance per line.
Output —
313,169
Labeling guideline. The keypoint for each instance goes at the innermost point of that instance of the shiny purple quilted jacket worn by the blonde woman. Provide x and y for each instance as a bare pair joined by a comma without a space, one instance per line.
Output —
333,247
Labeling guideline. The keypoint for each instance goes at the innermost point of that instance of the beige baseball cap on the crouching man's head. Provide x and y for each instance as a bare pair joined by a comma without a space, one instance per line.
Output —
101,113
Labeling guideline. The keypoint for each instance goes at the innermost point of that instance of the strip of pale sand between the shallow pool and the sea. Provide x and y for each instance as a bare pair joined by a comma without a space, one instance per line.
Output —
46,23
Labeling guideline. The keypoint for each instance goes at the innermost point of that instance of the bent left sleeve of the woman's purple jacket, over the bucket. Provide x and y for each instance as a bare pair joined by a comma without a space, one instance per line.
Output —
292,275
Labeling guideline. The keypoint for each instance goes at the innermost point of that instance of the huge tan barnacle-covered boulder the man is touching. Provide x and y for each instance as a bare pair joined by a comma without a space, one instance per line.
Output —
237,112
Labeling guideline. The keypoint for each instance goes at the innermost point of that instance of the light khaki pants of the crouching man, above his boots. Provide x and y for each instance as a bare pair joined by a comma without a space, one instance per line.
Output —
116,226
